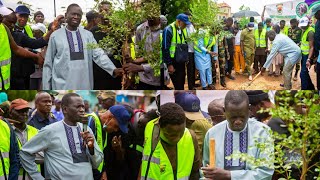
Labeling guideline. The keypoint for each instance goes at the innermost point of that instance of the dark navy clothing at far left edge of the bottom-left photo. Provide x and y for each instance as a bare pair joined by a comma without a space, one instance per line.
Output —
13,155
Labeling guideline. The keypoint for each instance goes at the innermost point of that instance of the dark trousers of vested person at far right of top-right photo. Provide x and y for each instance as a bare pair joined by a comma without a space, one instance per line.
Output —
306,83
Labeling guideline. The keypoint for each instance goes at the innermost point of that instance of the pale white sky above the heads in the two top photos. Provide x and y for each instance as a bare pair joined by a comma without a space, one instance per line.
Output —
47,7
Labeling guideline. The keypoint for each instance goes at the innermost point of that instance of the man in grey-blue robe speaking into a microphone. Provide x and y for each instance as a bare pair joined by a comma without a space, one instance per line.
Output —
70,149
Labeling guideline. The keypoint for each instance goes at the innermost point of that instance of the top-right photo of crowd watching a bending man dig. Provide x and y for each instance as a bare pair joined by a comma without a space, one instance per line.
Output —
239,45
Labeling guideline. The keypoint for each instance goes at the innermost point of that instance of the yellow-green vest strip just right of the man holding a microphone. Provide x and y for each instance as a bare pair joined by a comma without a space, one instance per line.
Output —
99,139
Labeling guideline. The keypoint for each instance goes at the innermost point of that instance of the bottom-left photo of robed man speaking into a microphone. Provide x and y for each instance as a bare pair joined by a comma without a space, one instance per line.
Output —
74,134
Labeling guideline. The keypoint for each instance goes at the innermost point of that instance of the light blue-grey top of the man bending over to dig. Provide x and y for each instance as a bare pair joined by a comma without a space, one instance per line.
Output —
286,47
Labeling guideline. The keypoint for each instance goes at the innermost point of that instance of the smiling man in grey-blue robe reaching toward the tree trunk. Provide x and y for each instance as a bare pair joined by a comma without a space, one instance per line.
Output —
68,62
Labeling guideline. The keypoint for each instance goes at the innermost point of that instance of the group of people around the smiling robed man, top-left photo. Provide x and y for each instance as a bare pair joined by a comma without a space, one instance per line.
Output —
59,57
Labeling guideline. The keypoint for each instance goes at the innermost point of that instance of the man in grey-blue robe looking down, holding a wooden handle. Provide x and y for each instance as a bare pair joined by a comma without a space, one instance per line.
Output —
238,133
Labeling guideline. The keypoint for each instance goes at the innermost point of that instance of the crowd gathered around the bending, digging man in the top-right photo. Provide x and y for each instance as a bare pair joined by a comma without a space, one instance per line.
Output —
271,45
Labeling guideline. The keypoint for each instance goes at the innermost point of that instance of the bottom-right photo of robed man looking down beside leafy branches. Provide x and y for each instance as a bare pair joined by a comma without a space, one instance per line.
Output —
237,134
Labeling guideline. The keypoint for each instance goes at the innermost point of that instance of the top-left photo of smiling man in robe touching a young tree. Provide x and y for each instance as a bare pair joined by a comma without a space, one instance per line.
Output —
84,44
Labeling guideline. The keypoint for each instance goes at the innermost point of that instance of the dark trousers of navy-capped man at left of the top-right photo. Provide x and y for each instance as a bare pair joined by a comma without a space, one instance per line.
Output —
178,77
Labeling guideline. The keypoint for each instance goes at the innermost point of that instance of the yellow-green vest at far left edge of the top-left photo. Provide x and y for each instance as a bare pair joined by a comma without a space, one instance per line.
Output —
5,58
